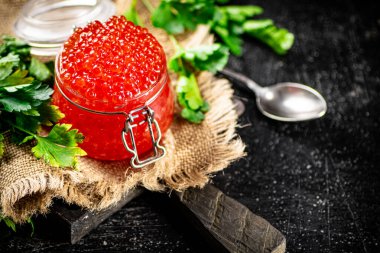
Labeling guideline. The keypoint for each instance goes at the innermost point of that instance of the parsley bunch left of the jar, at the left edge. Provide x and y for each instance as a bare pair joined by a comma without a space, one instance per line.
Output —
25,109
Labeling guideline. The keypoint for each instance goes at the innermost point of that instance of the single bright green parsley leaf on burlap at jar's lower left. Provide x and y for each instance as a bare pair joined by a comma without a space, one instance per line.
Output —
60,147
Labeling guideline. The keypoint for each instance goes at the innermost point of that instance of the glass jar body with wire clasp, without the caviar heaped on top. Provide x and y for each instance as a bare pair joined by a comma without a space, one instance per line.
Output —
116,131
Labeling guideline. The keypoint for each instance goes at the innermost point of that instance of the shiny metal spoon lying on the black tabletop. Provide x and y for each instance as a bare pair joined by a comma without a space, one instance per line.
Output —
284,101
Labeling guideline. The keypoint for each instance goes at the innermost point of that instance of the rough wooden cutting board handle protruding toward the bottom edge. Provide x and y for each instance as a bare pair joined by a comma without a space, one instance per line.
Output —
231,223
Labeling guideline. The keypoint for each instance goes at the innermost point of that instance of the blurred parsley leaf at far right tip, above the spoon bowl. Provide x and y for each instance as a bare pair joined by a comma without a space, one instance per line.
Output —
279,39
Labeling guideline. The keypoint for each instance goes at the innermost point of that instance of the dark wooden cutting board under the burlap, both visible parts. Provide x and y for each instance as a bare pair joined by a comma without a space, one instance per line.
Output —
226,224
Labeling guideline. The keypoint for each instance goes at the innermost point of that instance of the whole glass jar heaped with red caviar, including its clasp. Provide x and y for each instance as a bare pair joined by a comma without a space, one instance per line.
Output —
111,82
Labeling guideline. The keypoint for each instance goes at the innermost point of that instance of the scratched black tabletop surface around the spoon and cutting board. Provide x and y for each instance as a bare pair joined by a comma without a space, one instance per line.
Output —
317,181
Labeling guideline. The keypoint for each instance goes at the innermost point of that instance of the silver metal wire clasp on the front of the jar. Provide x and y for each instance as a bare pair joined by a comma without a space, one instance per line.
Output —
131,122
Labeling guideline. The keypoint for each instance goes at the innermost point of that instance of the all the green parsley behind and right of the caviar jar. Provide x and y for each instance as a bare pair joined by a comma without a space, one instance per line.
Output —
228,22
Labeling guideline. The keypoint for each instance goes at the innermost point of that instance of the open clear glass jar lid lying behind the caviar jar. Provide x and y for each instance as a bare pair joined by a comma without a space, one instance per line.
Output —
47,24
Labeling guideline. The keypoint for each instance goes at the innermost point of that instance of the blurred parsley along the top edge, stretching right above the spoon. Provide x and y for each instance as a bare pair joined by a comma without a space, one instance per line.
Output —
228,22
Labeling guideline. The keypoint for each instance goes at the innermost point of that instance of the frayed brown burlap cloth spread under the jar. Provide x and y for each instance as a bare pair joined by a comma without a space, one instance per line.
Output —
28,185
